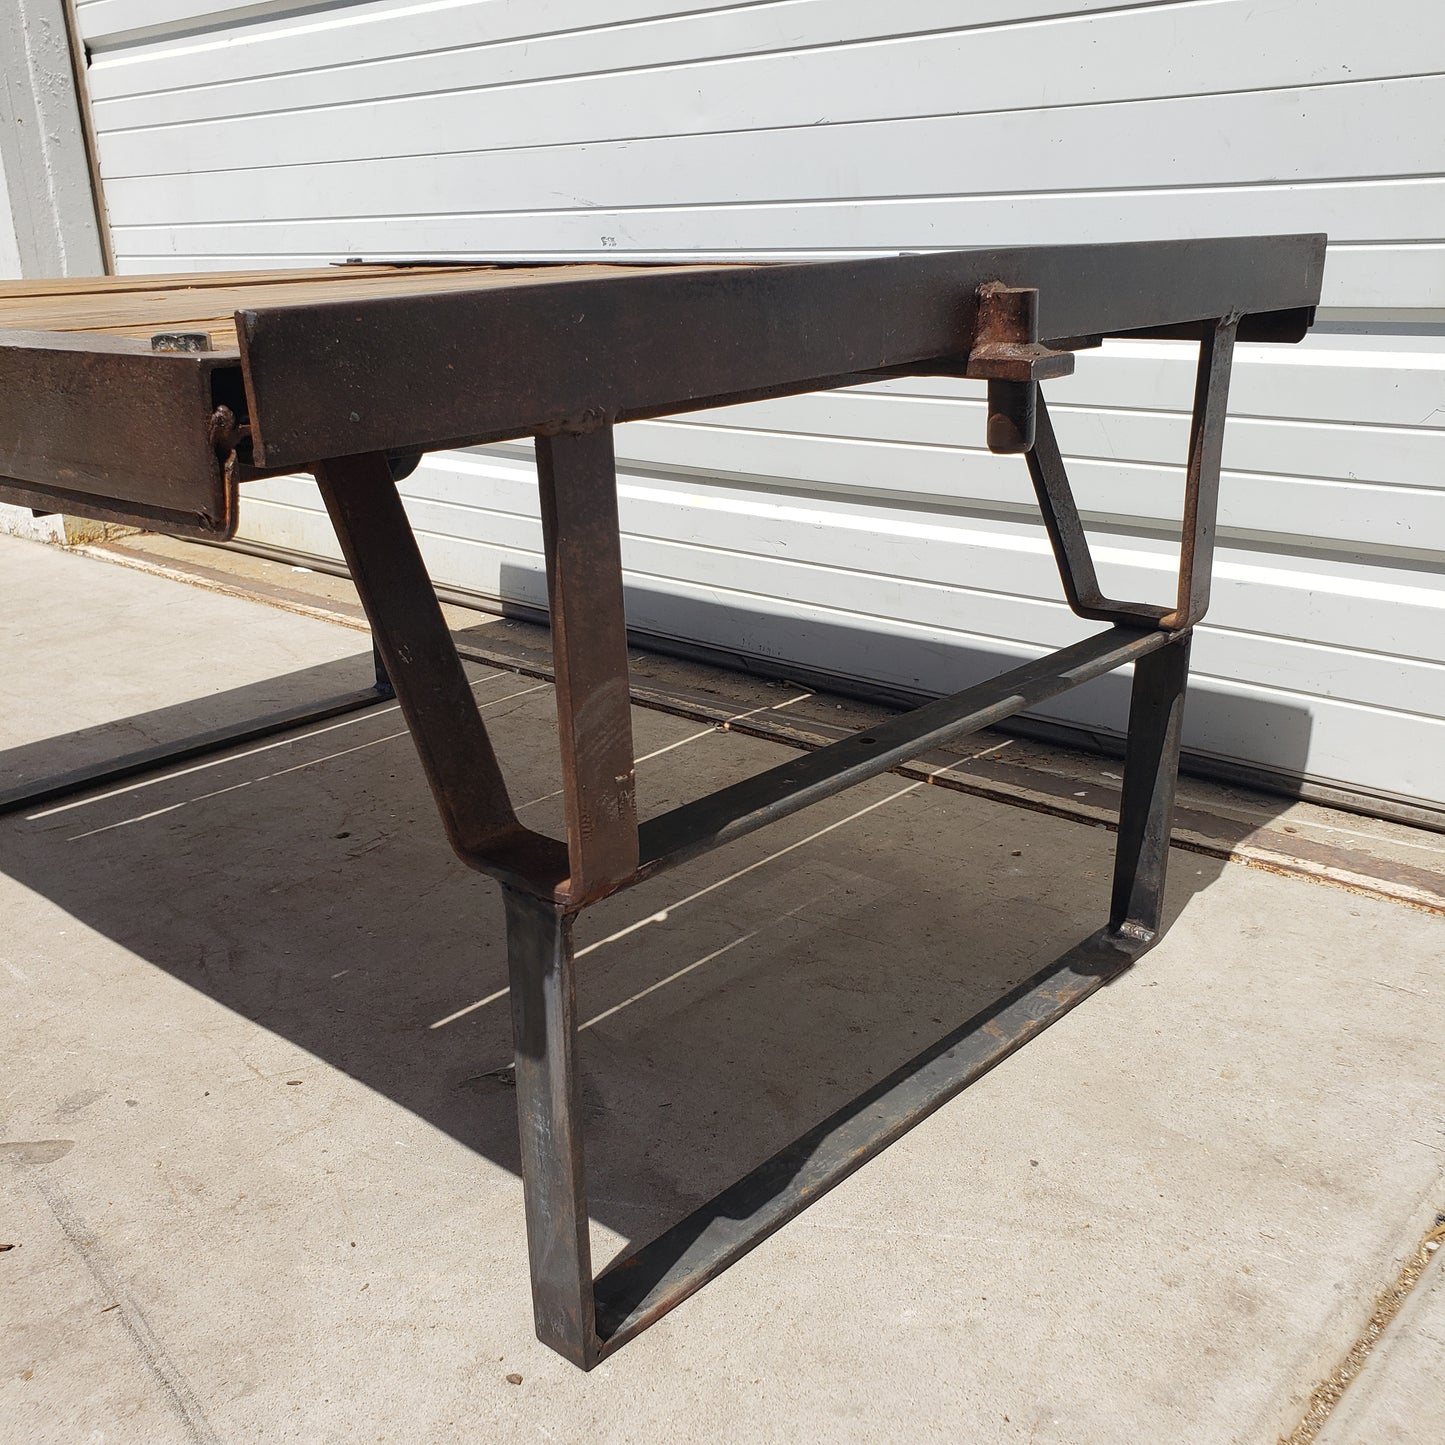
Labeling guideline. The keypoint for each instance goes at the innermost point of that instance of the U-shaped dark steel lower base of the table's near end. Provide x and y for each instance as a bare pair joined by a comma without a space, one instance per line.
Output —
585,1320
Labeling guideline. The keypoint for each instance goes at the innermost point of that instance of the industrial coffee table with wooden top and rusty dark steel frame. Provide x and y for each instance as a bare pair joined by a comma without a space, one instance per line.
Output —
151,401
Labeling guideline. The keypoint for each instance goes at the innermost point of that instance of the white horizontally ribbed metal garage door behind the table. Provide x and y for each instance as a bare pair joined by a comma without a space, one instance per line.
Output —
868,534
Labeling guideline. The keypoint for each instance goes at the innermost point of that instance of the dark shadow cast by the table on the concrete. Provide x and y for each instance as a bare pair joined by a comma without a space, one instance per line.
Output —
728,1008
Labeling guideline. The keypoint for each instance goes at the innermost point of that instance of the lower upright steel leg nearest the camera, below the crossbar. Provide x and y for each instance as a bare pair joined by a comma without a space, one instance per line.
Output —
554,1177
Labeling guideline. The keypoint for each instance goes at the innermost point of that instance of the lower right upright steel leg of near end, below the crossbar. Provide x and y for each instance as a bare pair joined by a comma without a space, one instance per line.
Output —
1151,774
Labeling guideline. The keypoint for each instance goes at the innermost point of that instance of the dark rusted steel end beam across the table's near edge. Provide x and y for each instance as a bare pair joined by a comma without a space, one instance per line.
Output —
470,366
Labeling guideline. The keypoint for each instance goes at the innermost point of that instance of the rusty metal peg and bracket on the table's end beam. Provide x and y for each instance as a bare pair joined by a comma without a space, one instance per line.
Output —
1014,362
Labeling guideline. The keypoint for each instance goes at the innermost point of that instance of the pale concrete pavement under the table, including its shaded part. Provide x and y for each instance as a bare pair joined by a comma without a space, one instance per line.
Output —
261,1173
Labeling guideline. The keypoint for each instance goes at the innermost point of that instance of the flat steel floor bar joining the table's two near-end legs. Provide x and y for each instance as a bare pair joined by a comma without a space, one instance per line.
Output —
639,1290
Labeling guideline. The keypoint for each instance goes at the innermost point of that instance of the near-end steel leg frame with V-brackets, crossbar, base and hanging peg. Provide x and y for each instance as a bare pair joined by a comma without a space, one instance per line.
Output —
547,884
